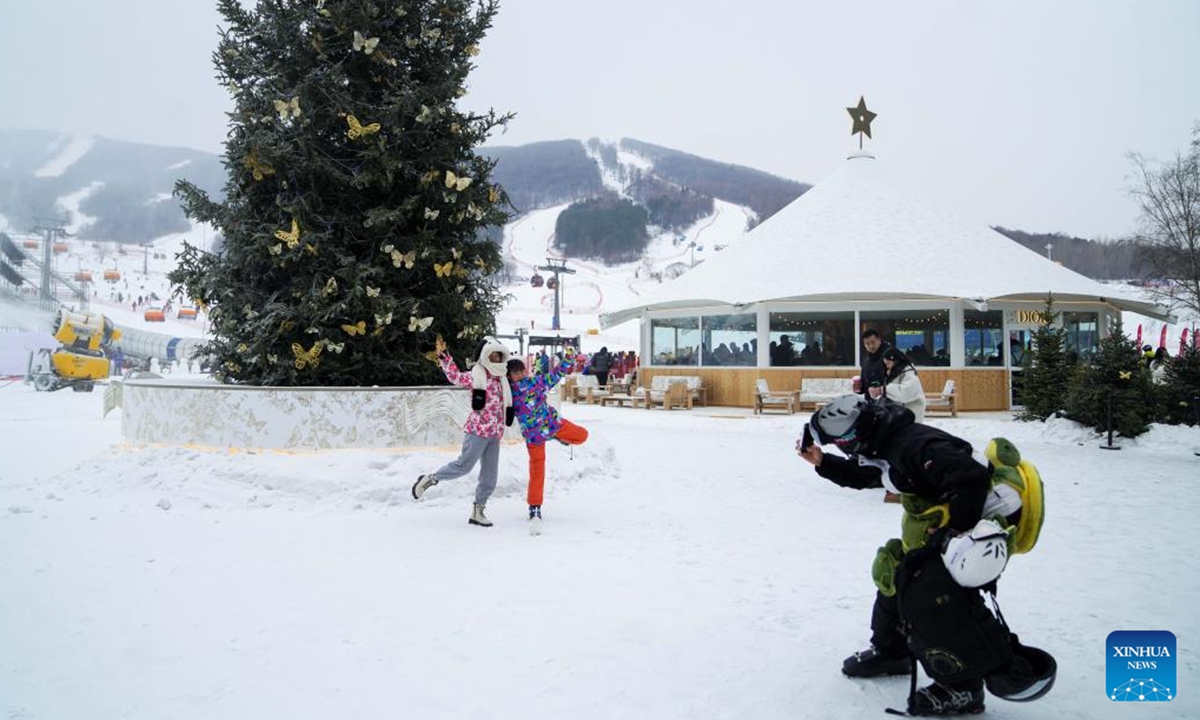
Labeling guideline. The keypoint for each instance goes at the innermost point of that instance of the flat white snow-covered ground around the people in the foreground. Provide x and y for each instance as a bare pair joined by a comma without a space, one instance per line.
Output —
692,568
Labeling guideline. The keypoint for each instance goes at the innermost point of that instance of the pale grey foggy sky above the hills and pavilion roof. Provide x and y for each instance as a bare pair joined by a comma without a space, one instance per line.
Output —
1016,113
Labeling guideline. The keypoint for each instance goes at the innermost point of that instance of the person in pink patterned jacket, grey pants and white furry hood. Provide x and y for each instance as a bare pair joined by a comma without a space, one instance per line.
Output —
491,405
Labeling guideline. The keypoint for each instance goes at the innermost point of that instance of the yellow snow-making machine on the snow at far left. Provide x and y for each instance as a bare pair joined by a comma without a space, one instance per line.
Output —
82,359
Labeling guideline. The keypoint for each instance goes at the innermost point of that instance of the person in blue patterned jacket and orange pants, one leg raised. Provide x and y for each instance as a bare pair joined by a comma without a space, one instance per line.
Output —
541,423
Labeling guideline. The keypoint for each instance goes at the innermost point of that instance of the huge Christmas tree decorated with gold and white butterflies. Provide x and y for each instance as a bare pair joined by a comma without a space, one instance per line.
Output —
356,207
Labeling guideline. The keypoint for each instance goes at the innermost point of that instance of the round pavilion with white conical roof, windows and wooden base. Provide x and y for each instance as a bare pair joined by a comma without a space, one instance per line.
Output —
856,253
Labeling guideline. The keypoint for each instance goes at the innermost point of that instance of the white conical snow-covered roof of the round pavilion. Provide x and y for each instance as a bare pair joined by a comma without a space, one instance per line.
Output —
855,237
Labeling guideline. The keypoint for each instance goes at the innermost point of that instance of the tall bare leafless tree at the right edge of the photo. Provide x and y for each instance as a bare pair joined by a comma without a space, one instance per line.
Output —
1169,238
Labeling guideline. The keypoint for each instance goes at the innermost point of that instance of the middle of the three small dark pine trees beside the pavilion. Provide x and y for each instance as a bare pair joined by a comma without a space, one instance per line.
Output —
1117,368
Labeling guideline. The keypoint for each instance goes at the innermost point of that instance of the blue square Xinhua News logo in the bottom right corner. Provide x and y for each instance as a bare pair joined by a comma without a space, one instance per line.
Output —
1141,667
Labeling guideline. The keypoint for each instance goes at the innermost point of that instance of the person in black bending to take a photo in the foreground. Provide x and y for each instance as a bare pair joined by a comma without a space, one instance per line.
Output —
949,499
